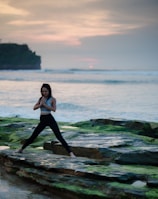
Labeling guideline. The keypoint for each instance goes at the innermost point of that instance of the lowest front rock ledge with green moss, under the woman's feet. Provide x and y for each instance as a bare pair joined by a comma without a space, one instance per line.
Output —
79,177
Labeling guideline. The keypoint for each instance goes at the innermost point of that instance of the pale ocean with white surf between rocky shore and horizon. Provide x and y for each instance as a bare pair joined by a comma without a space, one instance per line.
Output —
82,94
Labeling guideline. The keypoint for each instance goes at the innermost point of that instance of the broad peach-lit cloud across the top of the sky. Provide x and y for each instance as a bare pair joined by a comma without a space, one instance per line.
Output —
69,21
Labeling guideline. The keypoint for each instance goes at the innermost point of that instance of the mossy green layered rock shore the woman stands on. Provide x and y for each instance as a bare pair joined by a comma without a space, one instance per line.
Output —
115,158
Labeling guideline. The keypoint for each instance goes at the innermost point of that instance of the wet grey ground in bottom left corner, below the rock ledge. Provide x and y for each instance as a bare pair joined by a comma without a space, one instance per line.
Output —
13,187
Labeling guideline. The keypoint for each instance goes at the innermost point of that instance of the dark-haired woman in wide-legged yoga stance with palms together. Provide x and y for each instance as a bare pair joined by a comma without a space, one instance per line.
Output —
46,103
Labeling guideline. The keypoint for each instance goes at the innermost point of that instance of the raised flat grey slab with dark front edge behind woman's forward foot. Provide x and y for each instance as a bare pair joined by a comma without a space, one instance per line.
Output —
120,148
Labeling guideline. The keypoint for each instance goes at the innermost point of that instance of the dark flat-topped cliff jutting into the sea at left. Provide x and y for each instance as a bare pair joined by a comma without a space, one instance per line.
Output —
16,56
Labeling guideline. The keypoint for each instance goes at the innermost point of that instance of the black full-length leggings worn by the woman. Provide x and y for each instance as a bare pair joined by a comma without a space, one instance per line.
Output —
47,120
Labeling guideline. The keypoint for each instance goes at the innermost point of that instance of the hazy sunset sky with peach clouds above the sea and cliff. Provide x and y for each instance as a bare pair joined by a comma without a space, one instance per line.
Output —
109,34
